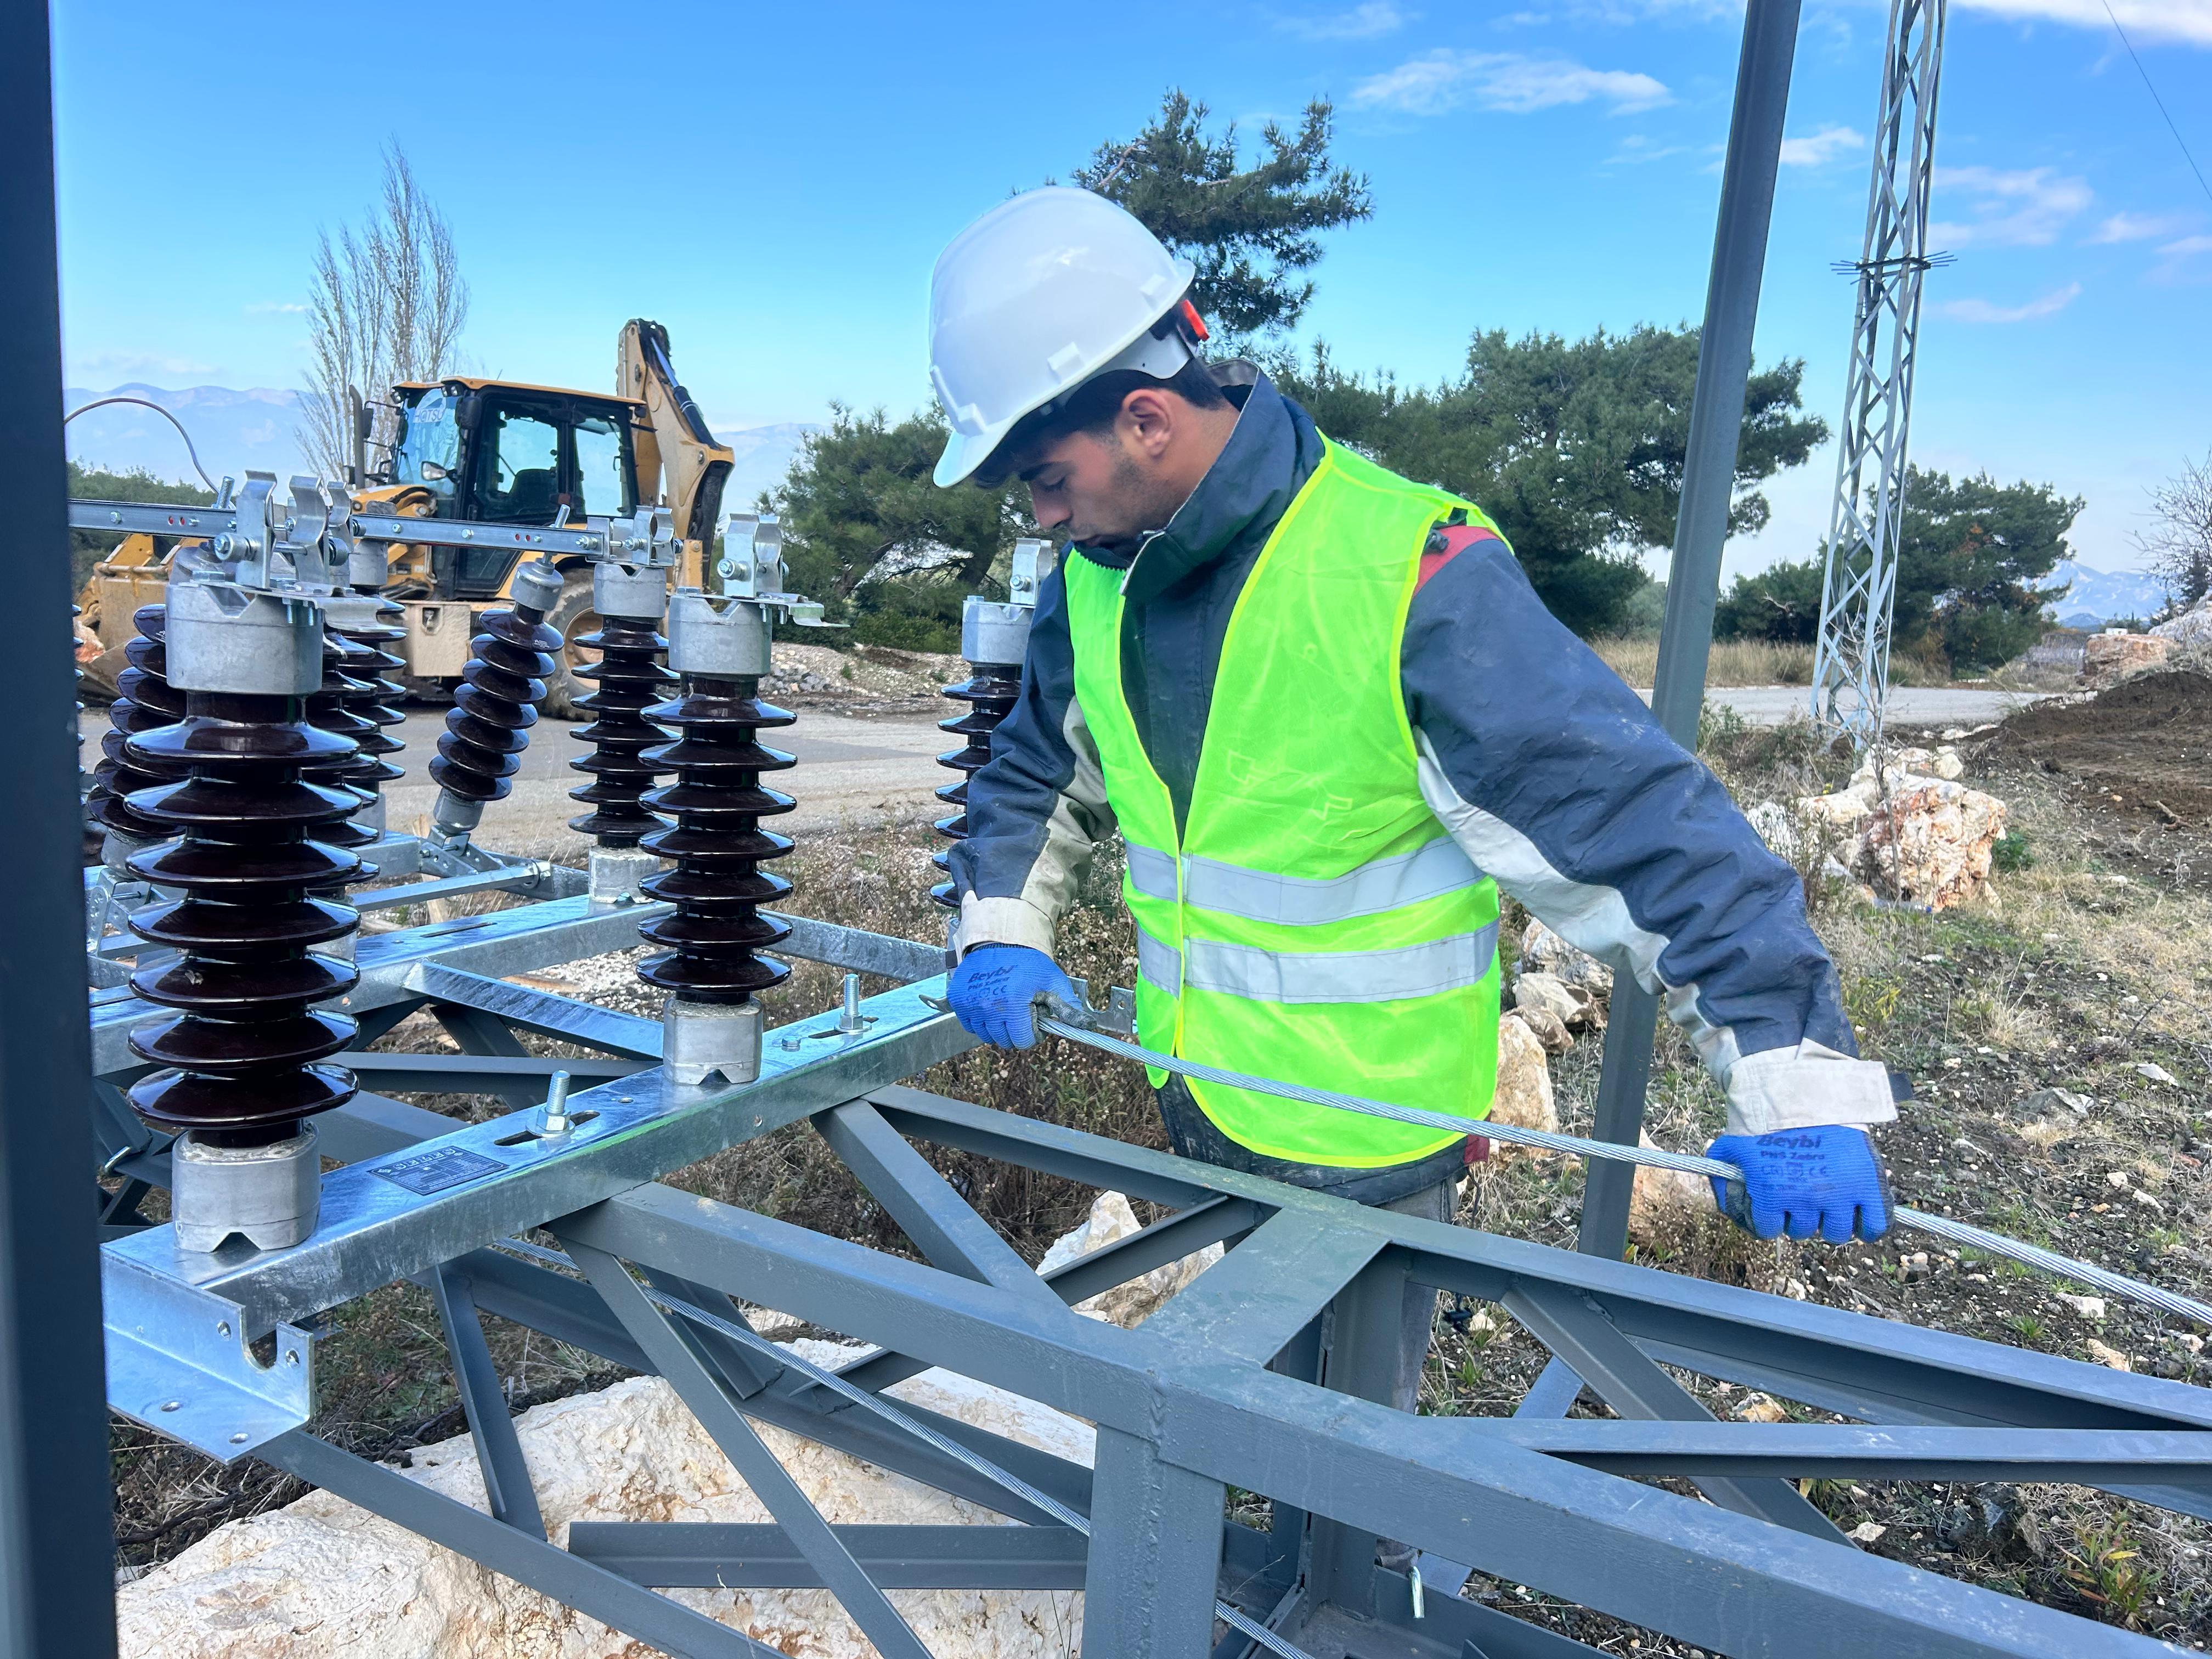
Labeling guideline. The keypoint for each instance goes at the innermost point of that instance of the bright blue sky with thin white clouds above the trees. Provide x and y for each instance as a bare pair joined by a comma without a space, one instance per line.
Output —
775,182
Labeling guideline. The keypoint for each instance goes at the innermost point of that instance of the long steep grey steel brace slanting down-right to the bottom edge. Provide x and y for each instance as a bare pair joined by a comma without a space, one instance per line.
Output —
700,1384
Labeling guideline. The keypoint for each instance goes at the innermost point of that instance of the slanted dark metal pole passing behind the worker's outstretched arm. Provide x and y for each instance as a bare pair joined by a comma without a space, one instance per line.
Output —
1709,477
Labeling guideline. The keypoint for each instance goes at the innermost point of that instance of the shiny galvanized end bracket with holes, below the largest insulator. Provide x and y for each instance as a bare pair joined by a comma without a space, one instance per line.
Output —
178,1361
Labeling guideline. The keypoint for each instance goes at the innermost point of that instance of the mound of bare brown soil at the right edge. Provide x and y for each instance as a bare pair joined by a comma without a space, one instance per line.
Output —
2142,749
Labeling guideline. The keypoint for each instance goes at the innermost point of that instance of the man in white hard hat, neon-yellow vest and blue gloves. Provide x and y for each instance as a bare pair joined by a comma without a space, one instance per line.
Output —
1331,720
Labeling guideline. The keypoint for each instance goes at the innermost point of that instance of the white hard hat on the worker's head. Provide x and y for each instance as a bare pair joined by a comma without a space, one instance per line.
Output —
1036,298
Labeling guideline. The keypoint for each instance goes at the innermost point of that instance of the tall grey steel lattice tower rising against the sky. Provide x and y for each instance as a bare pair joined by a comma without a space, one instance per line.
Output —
1850,680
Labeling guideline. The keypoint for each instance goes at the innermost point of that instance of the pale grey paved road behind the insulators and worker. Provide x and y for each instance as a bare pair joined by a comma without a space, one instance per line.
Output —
866,771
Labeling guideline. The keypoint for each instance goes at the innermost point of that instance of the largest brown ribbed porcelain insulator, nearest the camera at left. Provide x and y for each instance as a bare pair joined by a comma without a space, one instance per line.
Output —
247,1036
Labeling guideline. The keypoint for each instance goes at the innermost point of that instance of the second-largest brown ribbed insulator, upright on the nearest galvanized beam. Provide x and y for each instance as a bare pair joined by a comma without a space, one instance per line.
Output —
718,844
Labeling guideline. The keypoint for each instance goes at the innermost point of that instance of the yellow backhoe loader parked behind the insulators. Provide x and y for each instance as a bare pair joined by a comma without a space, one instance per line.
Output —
497,455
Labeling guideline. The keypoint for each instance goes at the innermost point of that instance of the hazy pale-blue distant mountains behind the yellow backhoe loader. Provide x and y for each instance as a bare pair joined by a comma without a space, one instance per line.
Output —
260,430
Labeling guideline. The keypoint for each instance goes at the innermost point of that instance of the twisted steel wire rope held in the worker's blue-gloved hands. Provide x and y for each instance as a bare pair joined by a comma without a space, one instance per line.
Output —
1656,1158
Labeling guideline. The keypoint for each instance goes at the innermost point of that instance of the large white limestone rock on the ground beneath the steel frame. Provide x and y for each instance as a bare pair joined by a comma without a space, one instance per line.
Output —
324,1580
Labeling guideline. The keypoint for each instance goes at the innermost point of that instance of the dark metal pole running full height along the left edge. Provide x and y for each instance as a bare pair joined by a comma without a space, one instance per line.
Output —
56,1534
